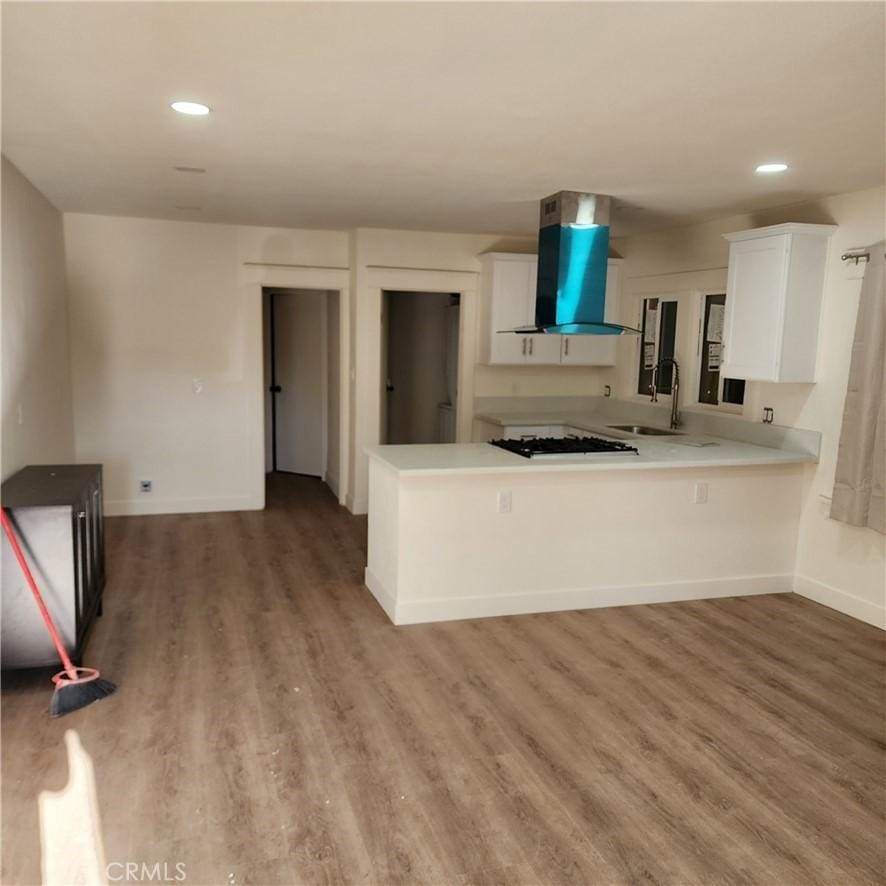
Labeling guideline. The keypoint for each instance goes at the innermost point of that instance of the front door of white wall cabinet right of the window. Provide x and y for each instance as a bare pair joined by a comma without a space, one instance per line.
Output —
754,308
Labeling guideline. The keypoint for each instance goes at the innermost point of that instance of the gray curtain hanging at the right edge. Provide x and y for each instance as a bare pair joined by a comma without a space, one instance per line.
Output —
861,461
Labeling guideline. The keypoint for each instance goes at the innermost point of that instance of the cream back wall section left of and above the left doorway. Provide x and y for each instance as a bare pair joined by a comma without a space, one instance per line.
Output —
160,309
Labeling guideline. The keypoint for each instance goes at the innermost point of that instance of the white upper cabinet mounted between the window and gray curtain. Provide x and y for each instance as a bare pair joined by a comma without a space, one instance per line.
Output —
773,302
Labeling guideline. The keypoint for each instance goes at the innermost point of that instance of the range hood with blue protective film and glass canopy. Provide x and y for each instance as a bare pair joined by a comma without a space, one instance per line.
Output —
573,250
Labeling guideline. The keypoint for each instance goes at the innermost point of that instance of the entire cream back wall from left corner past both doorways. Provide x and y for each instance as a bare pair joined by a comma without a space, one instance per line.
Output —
156,304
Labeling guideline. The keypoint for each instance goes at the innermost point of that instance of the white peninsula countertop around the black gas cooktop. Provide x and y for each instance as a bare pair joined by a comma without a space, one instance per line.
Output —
664,452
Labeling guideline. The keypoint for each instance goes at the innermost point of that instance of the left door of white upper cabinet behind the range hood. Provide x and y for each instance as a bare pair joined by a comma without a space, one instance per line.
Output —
513,305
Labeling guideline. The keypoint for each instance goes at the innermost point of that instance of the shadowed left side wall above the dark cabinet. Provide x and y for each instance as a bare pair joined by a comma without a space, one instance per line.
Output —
38,426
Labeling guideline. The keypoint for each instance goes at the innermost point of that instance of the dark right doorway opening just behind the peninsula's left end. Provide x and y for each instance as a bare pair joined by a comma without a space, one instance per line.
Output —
419,366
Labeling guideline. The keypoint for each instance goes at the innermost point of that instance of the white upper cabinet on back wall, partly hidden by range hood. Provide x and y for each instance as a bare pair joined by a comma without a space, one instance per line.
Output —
508,288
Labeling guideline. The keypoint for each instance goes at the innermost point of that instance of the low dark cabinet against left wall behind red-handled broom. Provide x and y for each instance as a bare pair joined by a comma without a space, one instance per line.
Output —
57,511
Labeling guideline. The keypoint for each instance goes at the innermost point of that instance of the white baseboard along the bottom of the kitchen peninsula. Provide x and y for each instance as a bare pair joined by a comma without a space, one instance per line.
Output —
453,608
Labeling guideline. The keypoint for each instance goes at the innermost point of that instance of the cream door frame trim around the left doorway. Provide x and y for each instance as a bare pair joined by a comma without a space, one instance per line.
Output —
253,278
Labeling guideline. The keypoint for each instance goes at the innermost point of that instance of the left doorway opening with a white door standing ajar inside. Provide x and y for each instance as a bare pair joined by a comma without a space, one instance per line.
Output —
301,381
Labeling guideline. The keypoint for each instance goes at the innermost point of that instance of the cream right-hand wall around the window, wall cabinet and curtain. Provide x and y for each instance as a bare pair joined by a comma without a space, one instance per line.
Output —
839,565
